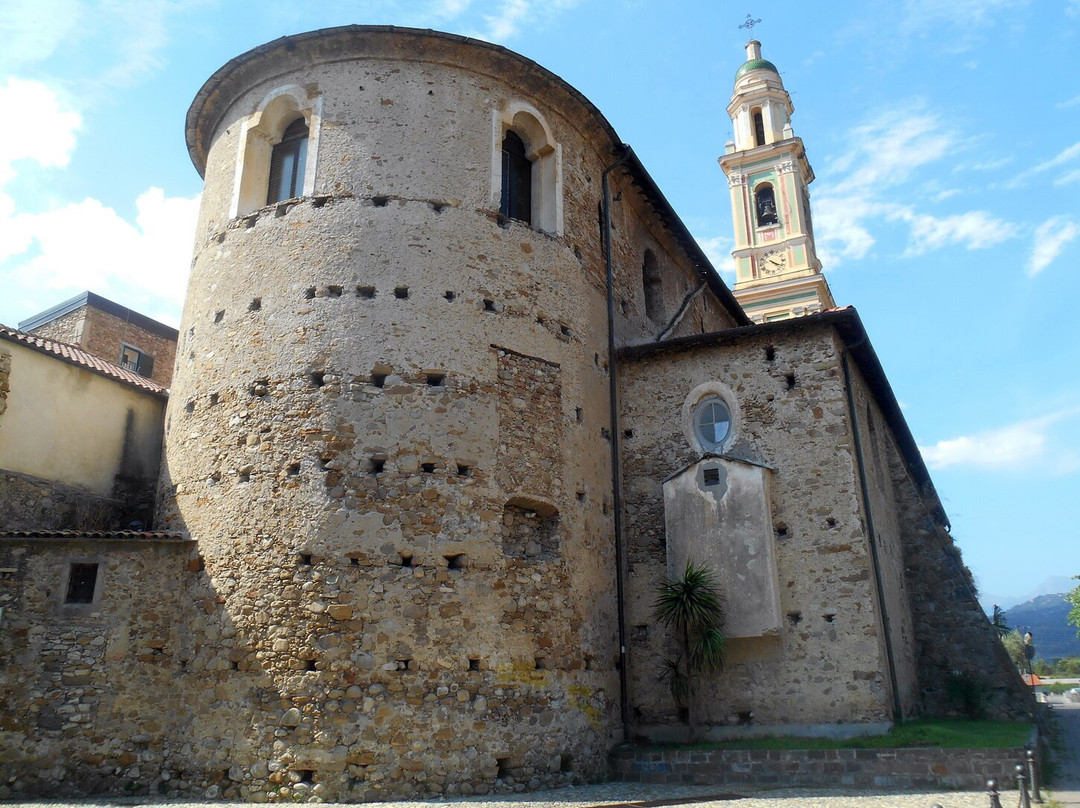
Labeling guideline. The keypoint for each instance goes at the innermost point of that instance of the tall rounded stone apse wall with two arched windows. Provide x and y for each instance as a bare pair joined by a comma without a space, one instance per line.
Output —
386,435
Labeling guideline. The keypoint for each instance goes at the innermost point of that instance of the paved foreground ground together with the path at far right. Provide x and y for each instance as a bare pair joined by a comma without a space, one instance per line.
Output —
1065,792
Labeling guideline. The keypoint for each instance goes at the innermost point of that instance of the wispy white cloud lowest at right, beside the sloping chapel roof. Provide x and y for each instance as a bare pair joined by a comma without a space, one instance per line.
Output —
1010,448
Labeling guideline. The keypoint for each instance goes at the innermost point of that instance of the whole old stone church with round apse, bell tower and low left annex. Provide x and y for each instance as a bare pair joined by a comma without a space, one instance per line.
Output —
455,389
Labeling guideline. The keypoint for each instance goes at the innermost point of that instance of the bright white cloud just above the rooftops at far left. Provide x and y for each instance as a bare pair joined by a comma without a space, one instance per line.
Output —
88,246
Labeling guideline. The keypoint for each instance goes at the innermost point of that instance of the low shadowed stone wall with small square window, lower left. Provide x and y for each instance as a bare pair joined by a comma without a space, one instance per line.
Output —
101,685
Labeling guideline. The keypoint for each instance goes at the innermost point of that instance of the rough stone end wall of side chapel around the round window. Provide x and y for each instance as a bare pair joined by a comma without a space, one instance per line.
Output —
791,414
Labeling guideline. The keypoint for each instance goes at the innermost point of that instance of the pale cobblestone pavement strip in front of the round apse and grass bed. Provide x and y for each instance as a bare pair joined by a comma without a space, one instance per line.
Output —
638,794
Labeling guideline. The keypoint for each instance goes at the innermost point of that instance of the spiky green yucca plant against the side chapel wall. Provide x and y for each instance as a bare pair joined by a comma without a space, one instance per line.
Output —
691,605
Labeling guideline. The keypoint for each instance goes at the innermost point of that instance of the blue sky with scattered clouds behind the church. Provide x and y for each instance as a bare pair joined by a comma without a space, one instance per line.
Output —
946,138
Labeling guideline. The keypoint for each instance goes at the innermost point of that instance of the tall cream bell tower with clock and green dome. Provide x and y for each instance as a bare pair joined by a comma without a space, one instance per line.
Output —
778,275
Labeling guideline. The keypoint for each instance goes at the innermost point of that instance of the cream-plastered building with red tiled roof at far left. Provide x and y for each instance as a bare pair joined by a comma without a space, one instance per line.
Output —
80,438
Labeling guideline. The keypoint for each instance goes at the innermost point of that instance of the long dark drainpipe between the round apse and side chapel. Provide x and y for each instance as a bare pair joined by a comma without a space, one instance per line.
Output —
616,470
